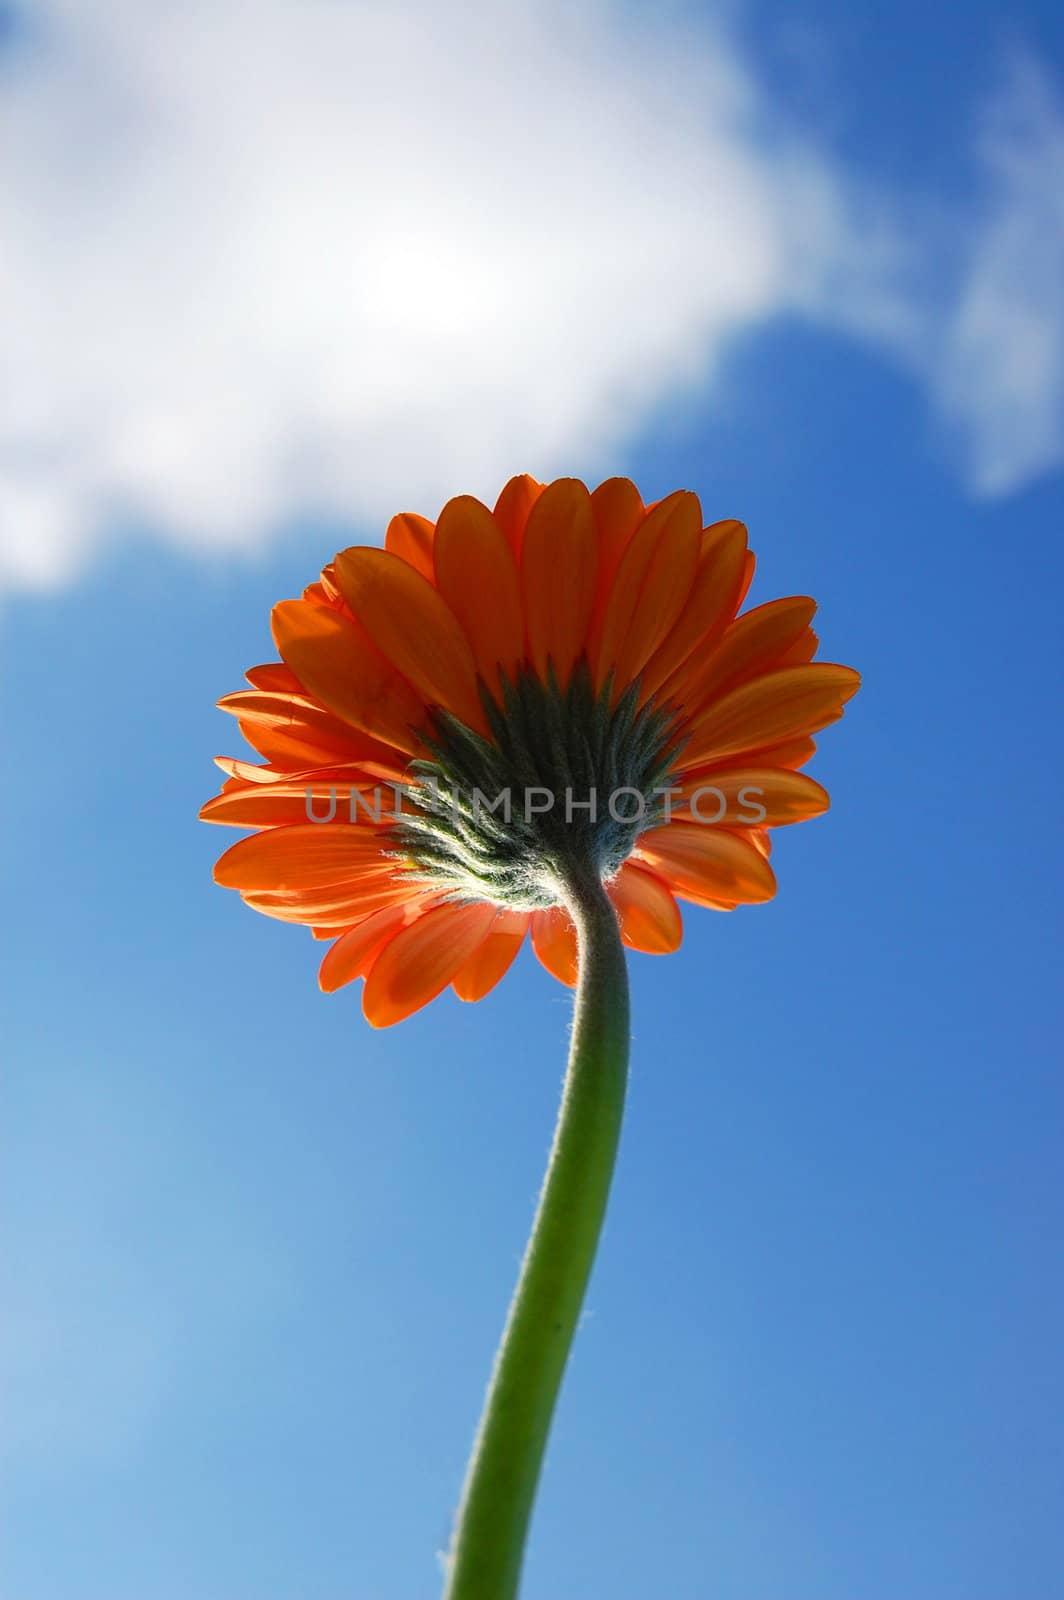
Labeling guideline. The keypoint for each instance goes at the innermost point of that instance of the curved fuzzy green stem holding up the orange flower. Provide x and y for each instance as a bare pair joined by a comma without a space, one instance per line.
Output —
500,1490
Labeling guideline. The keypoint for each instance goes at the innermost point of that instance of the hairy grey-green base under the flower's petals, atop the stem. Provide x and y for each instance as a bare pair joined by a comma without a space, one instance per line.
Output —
566,746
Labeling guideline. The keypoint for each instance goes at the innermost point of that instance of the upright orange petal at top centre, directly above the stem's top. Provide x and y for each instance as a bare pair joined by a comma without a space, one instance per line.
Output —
559,564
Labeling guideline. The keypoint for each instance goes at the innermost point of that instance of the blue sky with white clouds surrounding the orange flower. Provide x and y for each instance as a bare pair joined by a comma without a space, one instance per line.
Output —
807,263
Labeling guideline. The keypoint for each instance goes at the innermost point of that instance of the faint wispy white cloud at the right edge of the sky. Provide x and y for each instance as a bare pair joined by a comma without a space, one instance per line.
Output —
999,370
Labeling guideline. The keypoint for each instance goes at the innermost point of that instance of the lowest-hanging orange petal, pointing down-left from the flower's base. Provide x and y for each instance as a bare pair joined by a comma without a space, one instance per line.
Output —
423,959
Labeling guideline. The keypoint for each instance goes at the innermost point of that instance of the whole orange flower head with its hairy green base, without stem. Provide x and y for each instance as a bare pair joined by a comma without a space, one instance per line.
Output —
468,716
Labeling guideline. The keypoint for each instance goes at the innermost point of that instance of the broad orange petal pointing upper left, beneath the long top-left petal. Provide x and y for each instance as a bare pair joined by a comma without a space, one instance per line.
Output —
342,670
